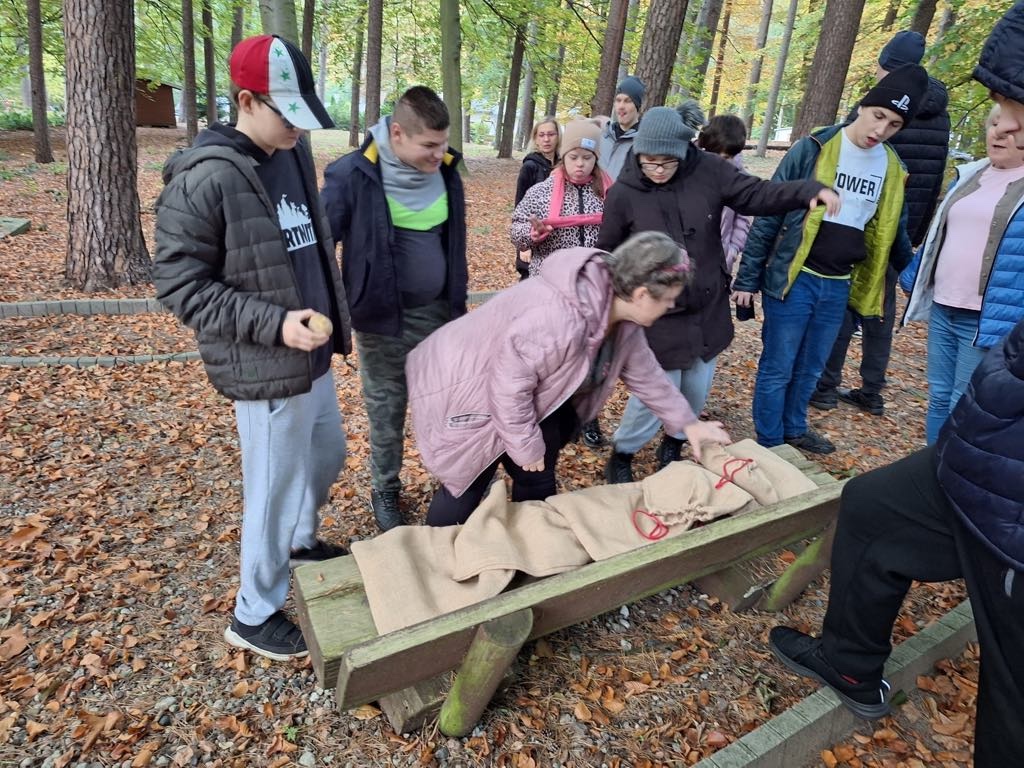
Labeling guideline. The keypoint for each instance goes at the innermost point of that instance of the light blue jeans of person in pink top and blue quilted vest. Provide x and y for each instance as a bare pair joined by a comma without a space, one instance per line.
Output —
952,360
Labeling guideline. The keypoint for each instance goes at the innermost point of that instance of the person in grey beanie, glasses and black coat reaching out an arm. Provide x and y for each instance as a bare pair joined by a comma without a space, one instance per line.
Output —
669,186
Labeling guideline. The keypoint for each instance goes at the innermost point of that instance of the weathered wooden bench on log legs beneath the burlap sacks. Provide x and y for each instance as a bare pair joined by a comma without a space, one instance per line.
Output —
484,639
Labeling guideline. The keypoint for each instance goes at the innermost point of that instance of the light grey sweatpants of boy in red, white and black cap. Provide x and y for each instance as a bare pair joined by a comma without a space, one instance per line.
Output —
292,453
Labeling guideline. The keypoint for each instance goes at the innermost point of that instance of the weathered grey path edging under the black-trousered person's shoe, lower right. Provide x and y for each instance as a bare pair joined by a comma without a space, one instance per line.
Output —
798,736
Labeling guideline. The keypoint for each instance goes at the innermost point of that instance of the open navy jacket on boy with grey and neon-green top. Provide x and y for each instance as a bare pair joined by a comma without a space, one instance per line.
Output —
361,222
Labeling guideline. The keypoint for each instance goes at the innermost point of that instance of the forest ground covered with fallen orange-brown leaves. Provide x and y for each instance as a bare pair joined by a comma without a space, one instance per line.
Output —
120,509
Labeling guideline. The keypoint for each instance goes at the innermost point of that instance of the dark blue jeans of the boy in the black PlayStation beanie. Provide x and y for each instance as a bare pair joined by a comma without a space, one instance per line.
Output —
797,336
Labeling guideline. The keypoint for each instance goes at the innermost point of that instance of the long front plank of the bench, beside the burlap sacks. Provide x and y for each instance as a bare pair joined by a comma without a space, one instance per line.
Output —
390,663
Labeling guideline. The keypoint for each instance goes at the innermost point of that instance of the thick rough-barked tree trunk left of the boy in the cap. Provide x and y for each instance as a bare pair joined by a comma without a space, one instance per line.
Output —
106,248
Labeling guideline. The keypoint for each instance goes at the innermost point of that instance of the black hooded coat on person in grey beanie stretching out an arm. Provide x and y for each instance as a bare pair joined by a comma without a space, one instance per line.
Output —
689,208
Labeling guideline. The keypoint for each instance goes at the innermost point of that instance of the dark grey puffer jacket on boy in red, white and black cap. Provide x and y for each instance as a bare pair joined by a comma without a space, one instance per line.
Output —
223,268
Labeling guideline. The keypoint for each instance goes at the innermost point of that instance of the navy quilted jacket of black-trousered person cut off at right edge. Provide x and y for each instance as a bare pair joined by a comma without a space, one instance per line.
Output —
982,452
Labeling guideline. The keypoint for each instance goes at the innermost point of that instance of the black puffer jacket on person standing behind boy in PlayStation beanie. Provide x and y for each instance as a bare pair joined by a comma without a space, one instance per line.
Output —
923,146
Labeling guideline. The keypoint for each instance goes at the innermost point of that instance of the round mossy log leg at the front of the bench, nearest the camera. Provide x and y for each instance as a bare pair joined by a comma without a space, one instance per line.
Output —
495,647
